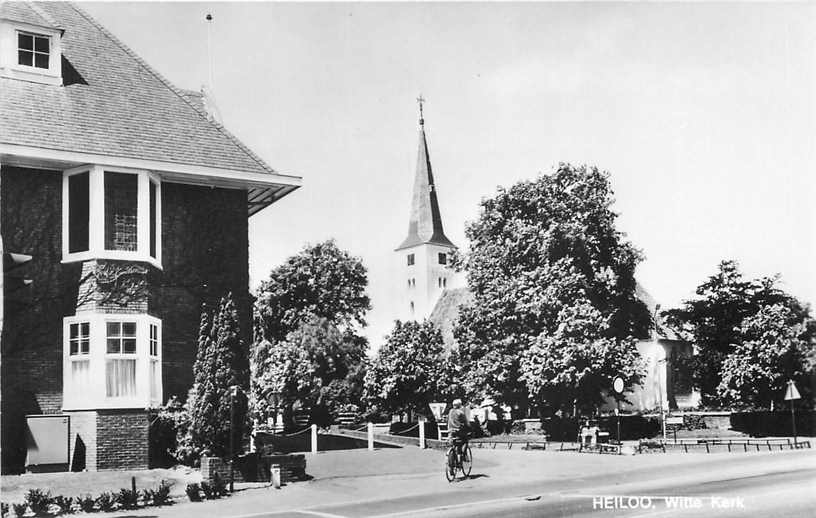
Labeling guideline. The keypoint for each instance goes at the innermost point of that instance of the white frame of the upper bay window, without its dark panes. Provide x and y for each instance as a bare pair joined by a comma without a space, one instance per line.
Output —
96,216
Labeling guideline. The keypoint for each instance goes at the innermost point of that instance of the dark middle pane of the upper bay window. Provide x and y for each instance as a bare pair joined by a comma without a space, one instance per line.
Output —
120,211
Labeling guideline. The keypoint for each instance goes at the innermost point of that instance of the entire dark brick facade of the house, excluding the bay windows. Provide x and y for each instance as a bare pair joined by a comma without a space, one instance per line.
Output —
204,256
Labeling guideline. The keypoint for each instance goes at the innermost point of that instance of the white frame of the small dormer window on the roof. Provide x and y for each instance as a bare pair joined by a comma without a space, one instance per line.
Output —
9,65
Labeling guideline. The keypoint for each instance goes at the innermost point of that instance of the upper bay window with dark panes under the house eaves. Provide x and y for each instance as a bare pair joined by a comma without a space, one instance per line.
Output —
111,213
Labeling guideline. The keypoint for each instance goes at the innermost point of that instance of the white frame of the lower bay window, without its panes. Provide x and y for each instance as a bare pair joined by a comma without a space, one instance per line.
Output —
94,396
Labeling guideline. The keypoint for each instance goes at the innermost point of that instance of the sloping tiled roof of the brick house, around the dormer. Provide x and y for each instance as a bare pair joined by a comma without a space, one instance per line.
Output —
116,105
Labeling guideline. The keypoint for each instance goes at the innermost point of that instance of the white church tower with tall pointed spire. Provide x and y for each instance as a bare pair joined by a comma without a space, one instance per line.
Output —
424,256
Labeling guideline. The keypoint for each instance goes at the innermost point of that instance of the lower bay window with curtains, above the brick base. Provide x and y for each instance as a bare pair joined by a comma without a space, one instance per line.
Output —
112,361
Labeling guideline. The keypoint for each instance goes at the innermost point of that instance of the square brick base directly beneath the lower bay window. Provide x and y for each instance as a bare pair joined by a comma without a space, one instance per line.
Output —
122,439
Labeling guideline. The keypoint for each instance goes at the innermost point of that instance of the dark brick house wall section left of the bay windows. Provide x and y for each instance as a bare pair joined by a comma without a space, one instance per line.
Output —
31,347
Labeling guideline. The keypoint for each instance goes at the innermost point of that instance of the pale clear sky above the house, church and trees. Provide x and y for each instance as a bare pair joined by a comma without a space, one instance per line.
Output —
704,115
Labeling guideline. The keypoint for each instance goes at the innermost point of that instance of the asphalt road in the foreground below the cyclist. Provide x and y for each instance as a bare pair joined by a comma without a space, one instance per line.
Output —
775,485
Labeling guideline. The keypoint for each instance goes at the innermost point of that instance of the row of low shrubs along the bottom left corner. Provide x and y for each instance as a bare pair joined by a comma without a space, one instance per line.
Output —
41,503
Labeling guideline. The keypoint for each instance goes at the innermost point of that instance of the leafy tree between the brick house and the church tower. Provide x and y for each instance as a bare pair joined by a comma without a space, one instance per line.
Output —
308,316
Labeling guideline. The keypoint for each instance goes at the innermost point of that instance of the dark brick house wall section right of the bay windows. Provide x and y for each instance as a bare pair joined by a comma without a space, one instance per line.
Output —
205,254
